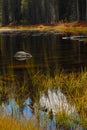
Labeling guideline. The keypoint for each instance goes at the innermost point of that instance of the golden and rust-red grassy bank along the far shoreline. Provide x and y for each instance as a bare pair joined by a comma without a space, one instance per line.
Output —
73,27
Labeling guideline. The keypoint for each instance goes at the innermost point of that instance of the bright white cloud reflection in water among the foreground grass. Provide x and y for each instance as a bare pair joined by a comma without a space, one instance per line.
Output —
56,101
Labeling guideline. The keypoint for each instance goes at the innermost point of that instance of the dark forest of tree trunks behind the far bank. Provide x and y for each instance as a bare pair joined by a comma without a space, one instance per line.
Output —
42,11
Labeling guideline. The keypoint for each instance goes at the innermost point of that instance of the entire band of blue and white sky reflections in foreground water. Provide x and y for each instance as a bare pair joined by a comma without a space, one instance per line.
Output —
55,102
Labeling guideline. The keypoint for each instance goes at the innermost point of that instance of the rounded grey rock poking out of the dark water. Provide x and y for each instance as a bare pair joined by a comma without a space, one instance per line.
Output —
21,55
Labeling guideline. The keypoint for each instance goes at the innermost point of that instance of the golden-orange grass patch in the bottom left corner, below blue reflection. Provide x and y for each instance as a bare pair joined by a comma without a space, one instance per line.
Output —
8,123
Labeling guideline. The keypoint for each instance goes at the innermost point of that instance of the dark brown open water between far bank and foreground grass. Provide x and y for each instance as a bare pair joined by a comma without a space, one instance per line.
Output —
48,51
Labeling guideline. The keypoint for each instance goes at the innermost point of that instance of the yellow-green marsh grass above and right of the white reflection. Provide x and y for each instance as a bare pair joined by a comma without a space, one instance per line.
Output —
73,85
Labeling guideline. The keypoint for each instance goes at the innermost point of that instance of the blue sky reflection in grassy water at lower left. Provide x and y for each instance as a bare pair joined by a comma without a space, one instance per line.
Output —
13,109
